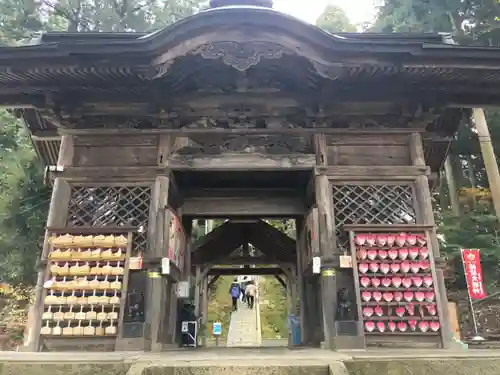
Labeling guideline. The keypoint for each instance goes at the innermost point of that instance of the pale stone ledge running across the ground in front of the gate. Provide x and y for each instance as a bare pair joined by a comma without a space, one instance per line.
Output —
270,365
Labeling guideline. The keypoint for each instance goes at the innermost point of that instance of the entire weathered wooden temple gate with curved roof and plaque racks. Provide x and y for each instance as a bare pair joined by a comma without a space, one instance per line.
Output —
243,114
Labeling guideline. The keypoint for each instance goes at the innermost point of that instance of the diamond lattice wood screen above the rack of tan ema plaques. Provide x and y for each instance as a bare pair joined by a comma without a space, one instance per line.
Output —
111,206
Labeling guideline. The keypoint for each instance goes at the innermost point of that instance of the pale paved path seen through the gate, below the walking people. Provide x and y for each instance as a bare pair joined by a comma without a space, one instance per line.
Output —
244,328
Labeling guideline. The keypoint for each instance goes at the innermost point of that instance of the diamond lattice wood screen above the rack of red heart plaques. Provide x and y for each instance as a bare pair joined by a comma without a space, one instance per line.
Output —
371,204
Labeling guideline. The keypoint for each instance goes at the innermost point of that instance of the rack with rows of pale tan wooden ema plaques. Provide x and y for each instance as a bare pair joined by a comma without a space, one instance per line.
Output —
84,285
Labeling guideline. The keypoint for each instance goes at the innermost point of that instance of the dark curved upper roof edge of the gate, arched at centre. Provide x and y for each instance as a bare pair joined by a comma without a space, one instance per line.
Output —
110,50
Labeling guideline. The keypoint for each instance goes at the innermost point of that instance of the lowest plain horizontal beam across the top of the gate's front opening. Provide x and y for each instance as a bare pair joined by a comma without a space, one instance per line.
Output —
243,206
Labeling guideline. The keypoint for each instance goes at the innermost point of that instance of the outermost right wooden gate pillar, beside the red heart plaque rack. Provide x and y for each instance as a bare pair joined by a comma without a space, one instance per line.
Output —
427,217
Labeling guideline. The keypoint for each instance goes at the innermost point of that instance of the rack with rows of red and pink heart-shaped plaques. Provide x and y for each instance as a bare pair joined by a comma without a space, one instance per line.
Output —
396,285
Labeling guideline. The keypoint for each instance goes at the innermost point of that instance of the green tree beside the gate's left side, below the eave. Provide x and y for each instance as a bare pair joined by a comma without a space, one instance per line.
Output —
23,203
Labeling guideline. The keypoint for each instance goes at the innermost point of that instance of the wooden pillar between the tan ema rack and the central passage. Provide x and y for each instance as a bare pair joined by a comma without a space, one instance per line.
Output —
158,247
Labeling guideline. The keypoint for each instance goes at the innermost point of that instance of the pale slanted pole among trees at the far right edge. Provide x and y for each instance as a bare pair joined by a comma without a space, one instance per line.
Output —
489,158
